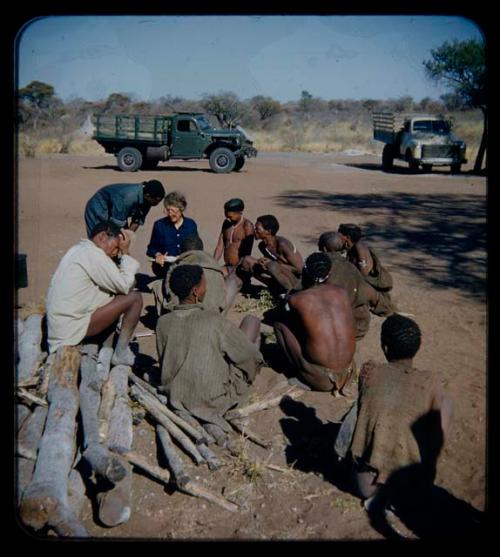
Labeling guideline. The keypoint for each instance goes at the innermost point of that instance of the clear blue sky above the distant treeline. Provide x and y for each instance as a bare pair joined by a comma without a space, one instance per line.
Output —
147,57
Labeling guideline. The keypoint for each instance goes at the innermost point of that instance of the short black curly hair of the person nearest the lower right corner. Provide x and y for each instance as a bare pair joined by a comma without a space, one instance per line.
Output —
402,337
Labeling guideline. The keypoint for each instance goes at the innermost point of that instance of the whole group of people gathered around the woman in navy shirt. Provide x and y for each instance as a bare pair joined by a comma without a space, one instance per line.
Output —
208,363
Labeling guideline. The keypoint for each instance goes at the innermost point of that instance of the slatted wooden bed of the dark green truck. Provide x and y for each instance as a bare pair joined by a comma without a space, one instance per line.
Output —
153,129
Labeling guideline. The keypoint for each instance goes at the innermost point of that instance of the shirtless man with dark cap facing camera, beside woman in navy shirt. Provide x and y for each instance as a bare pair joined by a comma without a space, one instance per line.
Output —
236,237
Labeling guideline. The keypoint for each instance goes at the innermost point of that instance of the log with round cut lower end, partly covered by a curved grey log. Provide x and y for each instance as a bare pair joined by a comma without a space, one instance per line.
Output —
115,504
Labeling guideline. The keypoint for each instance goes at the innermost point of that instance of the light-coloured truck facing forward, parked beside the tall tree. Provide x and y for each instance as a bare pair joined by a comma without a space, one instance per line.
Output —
420,140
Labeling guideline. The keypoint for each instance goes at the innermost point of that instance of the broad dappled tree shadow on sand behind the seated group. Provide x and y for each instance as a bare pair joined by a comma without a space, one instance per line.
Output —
439,237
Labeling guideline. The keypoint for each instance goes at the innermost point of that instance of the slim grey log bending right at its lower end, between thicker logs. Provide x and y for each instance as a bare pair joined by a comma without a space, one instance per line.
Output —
102,461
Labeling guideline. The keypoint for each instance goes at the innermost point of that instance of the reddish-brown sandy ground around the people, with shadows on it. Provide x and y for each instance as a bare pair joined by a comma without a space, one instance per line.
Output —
430,232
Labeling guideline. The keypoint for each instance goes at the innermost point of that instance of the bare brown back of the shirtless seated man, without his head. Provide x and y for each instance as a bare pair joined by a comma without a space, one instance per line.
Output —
322,322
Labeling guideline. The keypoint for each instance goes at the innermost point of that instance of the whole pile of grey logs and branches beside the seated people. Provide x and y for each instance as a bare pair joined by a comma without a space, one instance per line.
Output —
74,414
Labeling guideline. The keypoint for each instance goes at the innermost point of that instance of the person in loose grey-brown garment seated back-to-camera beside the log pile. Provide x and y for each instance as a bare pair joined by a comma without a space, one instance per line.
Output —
207,363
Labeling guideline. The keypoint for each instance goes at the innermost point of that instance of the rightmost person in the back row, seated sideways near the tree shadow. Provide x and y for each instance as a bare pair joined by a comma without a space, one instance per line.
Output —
365,258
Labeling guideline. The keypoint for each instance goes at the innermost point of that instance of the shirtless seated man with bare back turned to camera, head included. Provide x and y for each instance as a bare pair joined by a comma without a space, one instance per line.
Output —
317,335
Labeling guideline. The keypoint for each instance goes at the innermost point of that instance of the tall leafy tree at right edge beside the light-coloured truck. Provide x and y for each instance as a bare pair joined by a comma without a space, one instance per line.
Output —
461,66
